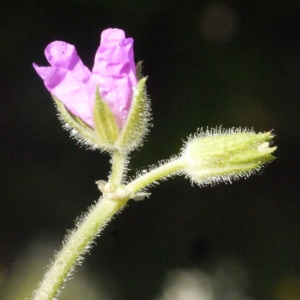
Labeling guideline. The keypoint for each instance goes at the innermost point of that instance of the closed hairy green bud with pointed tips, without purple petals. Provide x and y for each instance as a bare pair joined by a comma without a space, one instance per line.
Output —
226,155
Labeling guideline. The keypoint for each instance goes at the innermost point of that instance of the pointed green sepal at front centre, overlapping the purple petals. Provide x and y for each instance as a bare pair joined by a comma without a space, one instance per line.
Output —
104,121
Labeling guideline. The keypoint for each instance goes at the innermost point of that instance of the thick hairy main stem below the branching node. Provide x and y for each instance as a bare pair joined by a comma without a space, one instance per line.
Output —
77,243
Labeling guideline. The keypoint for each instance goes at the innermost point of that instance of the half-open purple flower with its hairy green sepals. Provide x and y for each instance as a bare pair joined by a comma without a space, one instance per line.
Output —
107,107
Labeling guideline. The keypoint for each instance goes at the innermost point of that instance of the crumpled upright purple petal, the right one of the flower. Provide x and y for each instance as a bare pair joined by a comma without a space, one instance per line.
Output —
114,72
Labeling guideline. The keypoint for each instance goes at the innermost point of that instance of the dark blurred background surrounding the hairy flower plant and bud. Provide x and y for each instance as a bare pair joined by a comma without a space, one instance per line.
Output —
210,63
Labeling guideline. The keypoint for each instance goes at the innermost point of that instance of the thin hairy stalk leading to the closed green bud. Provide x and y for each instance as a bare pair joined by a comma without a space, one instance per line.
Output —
170,168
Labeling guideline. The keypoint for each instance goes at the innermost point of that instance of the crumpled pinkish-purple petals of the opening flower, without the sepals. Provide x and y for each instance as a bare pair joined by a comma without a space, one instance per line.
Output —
114,73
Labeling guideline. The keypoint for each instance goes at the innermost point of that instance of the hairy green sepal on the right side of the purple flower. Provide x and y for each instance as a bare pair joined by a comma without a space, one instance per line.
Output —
137,123
